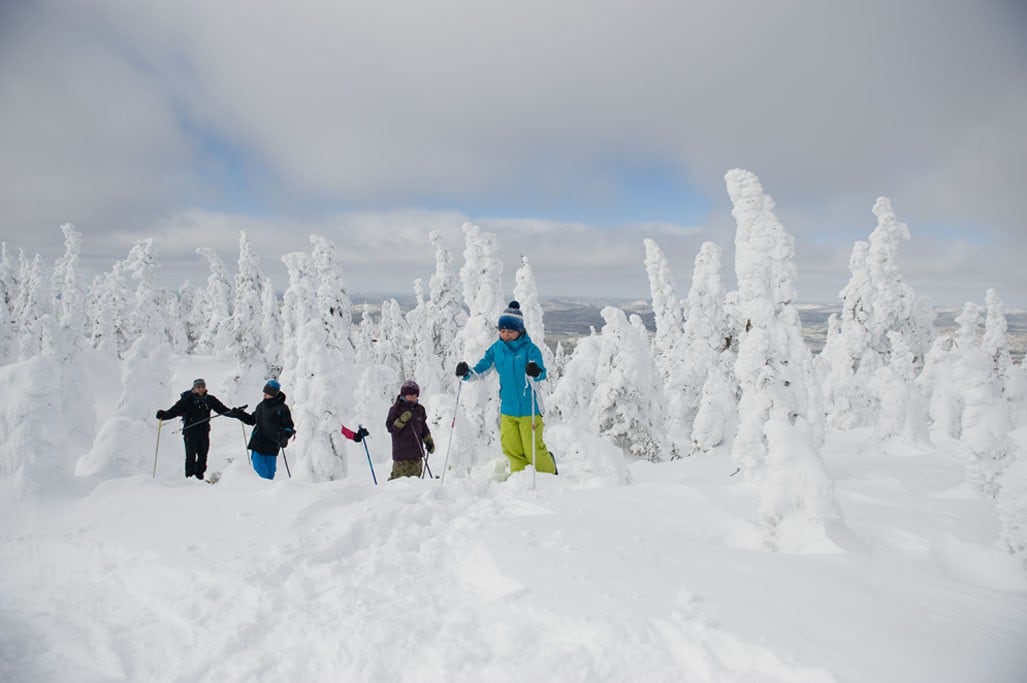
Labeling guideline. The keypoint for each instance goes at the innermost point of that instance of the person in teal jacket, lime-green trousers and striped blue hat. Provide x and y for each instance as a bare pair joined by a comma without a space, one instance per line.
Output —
518,361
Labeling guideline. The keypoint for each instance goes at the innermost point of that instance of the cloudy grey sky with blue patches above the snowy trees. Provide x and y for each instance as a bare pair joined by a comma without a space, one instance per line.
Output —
573,130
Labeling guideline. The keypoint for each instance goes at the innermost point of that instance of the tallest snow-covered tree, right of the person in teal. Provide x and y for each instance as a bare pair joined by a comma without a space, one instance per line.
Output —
779,436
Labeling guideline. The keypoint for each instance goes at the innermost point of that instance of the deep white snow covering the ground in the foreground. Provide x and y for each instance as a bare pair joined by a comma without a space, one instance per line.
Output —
662,580
